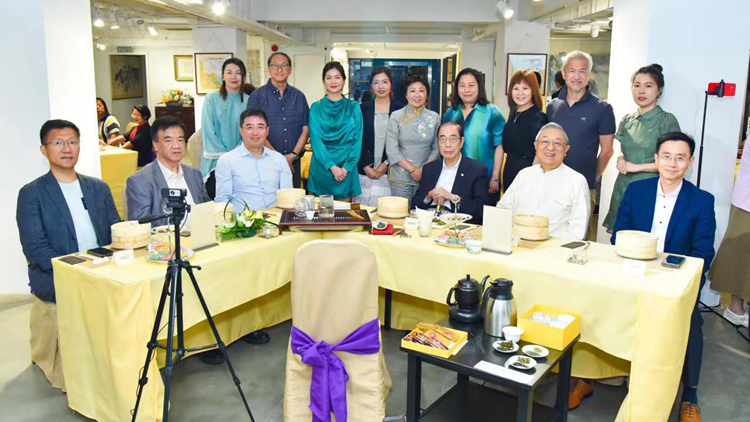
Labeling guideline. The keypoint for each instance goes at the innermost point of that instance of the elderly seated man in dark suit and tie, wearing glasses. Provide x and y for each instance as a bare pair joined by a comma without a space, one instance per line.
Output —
455,179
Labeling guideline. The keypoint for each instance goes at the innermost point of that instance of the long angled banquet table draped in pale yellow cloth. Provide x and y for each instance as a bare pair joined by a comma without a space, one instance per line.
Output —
105,313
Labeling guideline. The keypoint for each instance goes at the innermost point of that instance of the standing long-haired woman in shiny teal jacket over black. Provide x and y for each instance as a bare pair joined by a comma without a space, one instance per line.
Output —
482,123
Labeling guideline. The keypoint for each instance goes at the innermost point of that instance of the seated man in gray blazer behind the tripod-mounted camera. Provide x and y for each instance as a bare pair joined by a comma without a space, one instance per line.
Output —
144,187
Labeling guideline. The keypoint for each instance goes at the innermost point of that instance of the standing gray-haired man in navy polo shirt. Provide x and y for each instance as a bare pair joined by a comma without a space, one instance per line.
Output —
588,121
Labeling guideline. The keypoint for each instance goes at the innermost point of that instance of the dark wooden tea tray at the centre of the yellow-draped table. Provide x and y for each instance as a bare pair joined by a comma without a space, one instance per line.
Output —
343,220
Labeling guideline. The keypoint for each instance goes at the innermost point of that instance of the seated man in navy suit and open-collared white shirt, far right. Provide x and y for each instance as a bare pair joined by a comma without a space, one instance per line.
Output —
682,217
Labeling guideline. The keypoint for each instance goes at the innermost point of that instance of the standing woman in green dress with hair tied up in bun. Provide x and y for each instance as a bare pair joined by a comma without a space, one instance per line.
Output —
638,133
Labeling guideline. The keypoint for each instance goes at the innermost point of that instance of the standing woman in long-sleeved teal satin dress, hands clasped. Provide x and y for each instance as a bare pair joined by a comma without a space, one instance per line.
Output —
336,139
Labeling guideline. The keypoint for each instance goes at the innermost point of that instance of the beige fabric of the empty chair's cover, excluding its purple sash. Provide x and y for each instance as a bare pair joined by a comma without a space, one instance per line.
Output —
334,292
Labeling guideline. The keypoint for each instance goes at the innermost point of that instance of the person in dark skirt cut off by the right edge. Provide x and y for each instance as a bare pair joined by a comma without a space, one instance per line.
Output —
730,271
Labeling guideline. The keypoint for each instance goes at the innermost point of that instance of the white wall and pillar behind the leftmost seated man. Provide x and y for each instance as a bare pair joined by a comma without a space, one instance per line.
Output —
62,87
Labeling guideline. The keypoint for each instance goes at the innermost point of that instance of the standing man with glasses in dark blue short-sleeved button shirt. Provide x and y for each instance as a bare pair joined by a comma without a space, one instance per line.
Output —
287,111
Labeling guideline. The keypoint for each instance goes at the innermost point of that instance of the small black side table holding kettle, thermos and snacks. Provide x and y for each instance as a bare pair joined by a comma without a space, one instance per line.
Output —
469,401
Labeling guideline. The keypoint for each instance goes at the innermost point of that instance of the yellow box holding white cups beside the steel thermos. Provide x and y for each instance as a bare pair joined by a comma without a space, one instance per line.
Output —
547,335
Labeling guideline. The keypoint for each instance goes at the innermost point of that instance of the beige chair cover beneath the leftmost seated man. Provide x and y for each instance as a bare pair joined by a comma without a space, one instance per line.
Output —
45,345
